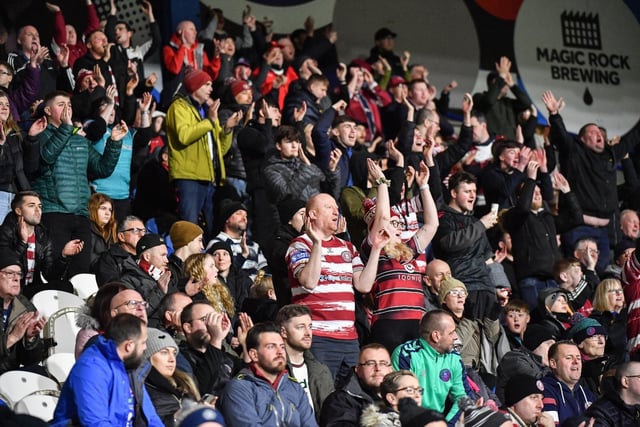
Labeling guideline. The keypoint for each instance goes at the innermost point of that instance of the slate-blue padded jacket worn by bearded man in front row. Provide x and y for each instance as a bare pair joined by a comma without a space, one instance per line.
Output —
251,401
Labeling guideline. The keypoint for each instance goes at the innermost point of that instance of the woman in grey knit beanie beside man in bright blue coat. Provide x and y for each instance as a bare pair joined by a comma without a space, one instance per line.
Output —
167,386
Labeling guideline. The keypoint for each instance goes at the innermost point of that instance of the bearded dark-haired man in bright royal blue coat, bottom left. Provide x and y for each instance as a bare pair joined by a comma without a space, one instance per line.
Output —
99,391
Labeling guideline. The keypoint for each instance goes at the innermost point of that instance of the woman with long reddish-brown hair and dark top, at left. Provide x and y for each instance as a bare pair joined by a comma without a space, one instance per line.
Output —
103,224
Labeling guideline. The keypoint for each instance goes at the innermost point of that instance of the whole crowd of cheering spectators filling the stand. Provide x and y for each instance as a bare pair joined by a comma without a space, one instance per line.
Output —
286,237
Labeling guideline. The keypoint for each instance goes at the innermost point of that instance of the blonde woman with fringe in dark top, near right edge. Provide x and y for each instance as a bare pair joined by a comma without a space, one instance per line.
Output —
610,310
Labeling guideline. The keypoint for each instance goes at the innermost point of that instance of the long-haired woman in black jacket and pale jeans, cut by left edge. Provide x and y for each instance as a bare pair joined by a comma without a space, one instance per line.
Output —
16,161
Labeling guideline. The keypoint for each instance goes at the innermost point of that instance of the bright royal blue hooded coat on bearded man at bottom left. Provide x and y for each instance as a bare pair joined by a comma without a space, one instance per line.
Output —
97,390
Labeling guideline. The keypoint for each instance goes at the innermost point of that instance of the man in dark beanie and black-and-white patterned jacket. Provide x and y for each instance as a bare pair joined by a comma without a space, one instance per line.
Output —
246,254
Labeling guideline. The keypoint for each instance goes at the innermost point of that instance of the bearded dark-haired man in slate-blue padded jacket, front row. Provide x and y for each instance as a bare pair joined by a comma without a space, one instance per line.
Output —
264,393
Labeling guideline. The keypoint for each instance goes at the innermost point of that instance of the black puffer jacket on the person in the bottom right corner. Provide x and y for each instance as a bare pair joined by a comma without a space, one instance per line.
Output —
610,410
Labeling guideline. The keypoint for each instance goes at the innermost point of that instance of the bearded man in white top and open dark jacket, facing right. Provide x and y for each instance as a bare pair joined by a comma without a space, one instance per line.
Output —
313,376
